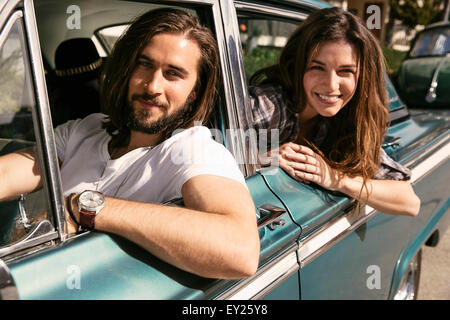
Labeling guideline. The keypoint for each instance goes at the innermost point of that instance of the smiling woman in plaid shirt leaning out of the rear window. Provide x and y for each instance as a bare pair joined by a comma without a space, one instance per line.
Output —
328,92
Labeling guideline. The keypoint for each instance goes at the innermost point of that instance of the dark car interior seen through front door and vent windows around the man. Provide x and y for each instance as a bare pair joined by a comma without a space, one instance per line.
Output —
73,55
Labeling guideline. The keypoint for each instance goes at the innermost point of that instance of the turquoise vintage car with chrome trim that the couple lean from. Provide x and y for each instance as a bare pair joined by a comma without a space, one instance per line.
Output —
312,246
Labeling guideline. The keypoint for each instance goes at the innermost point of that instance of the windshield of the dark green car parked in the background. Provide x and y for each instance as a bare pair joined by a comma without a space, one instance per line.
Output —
434,42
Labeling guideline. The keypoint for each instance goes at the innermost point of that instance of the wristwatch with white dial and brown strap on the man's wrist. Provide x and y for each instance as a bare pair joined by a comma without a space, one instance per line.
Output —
89,205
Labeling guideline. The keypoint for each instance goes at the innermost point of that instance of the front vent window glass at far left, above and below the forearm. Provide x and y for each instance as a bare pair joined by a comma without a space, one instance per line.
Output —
18,218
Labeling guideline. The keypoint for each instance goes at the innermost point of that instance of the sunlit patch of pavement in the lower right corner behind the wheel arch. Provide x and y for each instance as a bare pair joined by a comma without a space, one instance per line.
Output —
435,274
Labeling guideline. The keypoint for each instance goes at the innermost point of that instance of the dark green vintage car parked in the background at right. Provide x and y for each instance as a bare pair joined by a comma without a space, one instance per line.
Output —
423,79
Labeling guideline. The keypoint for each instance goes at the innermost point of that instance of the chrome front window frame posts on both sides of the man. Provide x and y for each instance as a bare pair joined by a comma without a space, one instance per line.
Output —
212,7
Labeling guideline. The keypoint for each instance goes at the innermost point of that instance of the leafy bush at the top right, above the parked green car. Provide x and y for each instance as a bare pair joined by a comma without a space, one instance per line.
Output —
411,14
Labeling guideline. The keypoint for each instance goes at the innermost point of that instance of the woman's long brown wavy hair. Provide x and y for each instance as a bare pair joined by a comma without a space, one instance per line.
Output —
356,132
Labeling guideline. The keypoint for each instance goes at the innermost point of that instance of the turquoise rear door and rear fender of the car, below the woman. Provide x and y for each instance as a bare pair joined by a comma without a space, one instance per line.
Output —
347,256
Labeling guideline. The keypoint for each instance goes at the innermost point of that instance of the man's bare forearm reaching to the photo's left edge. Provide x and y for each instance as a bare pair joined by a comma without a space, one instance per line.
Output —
19,173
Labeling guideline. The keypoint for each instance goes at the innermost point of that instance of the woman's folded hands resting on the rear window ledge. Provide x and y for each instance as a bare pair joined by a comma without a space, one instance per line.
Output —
304,165
